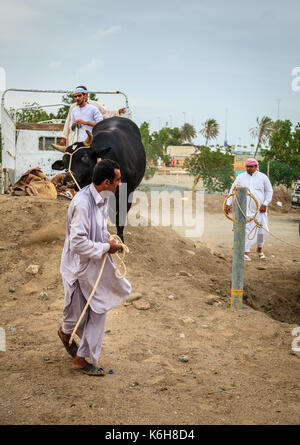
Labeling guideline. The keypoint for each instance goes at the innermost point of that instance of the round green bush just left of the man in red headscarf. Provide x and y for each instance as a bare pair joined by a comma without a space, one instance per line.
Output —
214,167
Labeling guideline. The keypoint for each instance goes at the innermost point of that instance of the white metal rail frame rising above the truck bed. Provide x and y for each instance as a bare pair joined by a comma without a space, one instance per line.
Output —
3,170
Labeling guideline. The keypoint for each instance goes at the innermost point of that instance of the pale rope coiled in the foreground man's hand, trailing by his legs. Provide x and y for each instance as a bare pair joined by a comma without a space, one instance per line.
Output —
119,265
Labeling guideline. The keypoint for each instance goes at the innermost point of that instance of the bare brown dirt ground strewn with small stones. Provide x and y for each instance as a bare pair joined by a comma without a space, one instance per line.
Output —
240,366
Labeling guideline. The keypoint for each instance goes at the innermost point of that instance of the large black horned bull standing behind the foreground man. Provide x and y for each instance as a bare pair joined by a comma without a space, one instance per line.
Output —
119,139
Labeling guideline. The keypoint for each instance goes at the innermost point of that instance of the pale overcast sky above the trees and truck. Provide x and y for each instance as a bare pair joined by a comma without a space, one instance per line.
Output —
176,60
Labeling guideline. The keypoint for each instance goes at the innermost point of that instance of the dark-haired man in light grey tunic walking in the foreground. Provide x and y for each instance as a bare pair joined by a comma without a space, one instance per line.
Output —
86,244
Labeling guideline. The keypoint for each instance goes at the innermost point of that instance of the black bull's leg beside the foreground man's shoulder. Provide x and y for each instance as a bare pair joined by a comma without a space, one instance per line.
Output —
119,206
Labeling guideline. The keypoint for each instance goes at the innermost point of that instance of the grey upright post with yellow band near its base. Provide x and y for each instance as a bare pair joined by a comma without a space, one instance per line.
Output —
238,250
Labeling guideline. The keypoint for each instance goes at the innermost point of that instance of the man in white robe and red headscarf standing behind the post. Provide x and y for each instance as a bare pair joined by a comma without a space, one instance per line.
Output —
259,185
